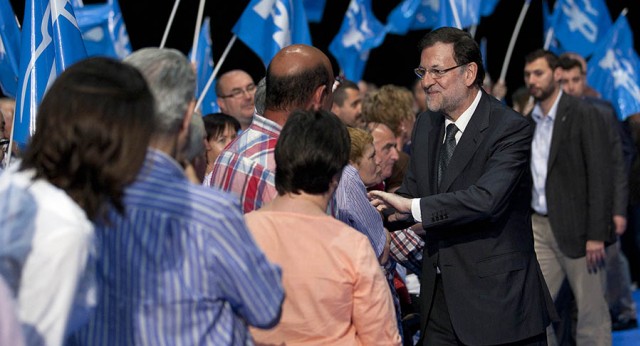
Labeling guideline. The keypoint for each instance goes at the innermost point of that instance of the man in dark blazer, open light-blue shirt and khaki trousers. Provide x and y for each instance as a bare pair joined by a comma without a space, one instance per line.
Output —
572,196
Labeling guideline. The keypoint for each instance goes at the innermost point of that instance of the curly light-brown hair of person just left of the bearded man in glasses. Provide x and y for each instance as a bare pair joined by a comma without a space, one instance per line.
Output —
389,105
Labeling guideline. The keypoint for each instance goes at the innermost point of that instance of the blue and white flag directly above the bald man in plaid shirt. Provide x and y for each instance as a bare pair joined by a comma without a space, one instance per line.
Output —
267,26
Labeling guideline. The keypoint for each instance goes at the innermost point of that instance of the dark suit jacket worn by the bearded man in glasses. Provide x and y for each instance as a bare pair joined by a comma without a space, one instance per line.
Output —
478,226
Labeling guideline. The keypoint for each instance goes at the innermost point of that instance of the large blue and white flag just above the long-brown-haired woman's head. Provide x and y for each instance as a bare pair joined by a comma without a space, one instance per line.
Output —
50,42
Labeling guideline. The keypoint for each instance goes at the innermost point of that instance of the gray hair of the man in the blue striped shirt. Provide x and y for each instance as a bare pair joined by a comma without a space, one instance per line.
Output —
172,82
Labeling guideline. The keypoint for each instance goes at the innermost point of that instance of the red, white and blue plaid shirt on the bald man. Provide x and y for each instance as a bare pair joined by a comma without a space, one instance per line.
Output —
247,167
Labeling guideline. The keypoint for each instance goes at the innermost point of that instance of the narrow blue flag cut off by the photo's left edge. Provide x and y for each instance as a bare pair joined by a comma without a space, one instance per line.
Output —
9,49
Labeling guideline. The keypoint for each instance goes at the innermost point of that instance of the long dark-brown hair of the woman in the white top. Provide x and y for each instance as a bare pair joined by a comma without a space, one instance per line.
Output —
93,129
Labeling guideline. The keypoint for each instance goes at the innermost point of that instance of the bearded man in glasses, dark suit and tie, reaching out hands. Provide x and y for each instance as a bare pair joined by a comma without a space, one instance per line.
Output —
470,188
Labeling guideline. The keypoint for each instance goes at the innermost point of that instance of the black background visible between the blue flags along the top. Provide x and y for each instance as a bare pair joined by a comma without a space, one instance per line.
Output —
391,63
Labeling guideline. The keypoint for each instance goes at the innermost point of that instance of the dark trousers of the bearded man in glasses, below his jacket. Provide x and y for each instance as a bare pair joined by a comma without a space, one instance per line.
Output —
440,331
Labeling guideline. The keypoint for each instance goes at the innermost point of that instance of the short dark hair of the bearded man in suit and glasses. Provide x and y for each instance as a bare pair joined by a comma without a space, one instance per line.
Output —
465,48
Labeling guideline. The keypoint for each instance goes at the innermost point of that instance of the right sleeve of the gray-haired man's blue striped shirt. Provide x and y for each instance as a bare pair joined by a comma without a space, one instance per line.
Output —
246,278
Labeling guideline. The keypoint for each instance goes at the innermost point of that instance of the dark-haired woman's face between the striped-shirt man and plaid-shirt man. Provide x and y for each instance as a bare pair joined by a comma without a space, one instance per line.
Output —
221,129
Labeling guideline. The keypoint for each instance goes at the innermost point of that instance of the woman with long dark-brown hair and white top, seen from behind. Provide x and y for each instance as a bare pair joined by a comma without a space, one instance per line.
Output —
92,132
